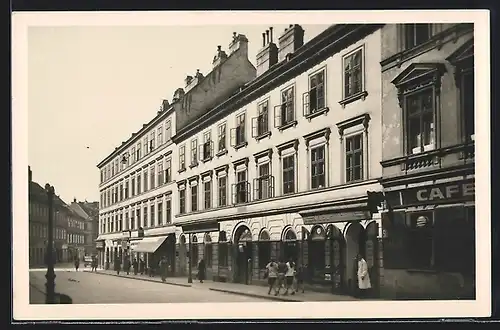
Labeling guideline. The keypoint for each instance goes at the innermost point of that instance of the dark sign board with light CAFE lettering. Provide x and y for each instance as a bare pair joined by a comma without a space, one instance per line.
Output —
448,192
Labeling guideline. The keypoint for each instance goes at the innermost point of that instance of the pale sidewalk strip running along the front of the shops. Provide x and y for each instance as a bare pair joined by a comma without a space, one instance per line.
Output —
257,291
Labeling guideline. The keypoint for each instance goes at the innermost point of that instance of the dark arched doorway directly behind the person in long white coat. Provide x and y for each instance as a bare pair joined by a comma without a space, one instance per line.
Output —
355,243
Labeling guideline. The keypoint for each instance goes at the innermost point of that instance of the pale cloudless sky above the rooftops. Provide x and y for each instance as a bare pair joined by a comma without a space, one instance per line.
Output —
91,87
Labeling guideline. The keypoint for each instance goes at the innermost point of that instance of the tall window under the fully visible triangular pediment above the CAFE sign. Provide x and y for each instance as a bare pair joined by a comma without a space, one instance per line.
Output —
420,121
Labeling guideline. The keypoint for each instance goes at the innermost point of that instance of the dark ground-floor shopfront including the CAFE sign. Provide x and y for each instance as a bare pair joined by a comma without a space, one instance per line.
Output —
429,240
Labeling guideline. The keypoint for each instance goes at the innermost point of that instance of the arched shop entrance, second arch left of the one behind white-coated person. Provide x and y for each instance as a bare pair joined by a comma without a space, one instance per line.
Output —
317,241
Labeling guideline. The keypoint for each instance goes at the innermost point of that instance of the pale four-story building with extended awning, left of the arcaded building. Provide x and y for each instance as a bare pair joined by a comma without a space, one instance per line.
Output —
136,191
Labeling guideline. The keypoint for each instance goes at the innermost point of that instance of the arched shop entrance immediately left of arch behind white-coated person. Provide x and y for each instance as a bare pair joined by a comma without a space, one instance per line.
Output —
335,257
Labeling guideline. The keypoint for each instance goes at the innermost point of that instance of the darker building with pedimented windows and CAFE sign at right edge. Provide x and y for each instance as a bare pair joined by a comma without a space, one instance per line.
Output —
428,160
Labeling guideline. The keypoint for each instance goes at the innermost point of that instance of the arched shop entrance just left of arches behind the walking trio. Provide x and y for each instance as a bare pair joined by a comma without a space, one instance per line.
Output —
243,244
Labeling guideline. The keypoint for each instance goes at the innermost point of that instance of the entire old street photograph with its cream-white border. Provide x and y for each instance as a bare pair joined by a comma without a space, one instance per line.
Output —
196,165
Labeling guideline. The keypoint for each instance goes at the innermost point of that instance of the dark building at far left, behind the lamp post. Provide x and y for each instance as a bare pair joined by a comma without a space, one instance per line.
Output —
38,225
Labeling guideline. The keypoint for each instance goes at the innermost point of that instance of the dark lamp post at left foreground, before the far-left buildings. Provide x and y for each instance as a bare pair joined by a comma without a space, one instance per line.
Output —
50,276
